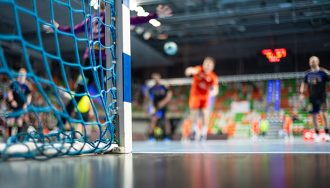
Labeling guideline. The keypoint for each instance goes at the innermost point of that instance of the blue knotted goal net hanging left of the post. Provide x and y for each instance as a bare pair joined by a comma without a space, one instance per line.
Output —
73,108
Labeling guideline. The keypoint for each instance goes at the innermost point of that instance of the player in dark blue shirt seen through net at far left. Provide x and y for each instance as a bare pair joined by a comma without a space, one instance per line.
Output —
19,97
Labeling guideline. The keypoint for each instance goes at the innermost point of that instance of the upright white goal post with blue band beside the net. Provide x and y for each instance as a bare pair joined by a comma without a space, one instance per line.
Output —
123,69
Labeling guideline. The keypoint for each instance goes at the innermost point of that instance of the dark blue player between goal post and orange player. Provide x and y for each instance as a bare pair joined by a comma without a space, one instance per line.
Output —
160,96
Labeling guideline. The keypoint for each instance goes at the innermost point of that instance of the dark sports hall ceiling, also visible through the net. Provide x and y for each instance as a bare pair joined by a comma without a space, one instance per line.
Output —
232,31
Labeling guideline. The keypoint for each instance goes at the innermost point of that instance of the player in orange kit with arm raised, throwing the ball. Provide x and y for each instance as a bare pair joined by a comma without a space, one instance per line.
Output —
204,84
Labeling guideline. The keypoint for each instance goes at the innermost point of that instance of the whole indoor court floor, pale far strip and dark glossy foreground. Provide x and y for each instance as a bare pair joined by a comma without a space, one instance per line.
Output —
244,163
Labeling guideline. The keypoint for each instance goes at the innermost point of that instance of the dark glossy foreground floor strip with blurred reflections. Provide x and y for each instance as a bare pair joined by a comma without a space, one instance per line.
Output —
171,170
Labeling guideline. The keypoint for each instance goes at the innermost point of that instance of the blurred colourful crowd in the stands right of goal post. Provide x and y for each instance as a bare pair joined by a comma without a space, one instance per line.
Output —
293,115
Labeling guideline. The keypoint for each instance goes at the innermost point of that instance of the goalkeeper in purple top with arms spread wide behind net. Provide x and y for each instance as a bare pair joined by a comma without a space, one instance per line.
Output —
98,35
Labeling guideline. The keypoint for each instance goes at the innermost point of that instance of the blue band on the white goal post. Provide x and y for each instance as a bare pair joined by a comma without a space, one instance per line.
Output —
127,77
